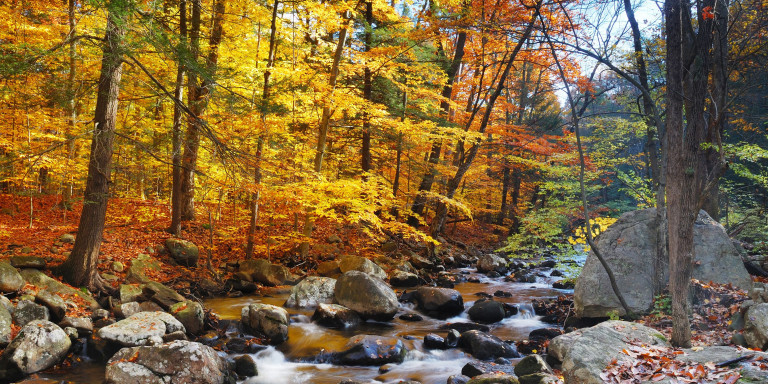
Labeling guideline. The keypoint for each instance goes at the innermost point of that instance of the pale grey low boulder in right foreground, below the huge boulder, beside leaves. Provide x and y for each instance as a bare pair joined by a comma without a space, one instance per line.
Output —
586,352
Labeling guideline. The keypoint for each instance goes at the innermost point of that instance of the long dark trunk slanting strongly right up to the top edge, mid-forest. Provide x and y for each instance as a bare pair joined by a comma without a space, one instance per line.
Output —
453,184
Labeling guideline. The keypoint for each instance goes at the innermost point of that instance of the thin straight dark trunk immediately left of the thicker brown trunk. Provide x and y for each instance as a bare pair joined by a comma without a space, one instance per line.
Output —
178,93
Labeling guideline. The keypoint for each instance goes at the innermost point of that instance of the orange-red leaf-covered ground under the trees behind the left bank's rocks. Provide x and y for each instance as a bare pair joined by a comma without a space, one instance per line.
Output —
136,226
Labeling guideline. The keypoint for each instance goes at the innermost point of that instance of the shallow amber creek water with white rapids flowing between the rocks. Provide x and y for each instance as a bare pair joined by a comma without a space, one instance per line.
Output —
293,361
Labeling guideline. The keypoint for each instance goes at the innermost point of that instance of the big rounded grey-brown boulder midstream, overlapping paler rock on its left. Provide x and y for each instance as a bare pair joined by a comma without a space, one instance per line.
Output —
367,295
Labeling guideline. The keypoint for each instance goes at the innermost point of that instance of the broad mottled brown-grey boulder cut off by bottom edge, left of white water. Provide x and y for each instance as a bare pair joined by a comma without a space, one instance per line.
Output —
177,362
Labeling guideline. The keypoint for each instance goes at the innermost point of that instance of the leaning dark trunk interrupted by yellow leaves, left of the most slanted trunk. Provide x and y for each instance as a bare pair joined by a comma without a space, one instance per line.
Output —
428,179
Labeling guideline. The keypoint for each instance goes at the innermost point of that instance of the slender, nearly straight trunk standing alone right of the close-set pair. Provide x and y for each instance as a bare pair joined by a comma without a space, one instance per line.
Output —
257,172
